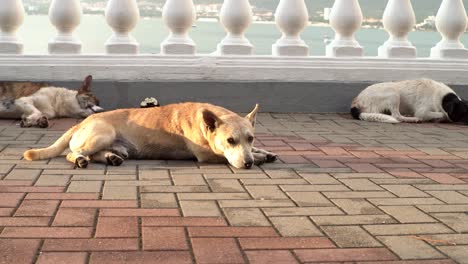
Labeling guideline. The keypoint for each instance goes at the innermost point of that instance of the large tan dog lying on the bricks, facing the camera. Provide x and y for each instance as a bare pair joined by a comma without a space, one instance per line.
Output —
198,131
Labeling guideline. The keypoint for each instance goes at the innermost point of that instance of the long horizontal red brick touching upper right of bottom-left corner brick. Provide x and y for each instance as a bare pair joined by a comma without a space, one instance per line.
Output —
91,244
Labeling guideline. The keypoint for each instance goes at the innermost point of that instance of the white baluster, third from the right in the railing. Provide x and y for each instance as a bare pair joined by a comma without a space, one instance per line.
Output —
345,19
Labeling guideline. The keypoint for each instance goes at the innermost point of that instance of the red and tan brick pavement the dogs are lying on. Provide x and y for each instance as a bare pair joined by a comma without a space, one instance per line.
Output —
343,191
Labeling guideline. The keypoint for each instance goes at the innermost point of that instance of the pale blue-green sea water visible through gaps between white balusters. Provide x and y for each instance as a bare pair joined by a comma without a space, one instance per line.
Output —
150,32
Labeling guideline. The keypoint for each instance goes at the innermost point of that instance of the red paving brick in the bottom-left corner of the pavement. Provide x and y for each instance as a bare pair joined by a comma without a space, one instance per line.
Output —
18,250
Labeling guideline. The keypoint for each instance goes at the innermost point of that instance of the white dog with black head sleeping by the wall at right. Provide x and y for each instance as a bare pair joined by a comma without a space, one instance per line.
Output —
411,101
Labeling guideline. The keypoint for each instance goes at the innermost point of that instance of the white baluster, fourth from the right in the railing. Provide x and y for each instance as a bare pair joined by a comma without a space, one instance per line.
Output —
291,18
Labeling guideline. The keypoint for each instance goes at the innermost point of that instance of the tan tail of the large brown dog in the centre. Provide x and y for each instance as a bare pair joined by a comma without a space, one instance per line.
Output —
54,150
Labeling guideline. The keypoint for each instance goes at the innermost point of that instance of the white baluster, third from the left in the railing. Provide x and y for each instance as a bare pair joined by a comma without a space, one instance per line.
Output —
122,16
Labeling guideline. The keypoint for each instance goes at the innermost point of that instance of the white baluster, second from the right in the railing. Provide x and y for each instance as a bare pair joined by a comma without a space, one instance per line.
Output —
398,20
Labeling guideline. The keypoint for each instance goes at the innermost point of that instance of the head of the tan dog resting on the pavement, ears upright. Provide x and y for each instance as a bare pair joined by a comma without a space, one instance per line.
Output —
231,136
